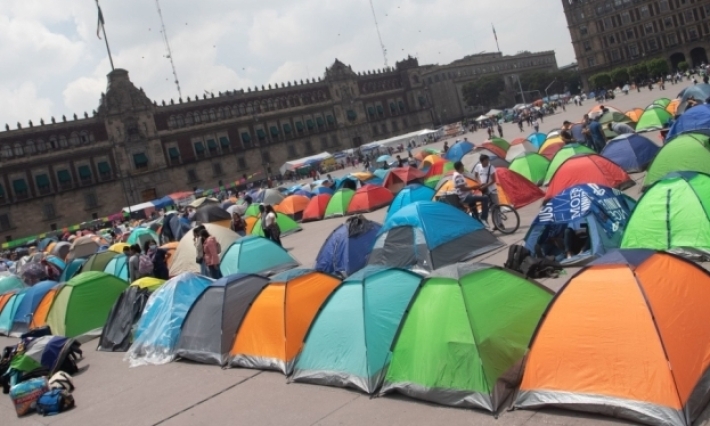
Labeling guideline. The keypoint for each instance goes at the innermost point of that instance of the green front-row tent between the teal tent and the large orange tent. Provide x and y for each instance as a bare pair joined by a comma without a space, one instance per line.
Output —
463,340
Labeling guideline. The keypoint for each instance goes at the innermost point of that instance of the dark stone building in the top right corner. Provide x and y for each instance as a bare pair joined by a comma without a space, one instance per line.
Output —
607,34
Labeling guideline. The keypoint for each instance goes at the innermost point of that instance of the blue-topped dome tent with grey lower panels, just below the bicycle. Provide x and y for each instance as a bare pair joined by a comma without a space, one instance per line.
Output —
421,236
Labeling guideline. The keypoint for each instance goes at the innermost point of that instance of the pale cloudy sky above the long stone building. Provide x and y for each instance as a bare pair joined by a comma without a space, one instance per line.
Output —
53,63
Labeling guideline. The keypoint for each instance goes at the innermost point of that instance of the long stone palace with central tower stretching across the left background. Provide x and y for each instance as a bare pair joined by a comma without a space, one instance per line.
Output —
134,149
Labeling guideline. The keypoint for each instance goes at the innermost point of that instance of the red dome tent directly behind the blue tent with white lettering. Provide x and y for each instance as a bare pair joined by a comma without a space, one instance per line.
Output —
588,168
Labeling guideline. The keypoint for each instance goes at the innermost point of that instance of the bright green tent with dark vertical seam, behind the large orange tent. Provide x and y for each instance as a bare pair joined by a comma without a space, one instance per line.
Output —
673,215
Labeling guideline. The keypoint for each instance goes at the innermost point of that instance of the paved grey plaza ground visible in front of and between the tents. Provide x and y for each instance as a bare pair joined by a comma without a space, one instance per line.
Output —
184,393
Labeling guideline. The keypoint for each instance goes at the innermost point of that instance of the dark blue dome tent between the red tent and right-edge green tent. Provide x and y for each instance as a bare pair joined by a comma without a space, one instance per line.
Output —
632,152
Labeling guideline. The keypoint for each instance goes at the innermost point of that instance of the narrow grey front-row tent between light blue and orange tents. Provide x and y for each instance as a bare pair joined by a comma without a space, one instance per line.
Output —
211,325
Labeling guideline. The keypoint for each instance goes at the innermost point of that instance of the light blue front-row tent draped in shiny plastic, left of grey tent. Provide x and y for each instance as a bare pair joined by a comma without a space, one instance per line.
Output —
158,330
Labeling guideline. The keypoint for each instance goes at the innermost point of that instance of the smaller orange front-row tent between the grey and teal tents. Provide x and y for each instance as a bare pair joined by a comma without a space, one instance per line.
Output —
294,298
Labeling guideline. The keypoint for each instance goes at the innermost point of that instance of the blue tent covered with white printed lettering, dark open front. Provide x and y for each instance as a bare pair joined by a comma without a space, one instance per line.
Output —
603,211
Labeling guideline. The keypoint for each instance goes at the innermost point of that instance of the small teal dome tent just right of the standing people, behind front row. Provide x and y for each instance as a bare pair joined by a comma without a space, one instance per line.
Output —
255,255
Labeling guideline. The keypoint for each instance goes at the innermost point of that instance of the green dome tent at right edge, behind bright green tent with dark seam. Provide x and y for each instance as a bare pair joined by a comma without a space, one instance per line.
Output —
687,152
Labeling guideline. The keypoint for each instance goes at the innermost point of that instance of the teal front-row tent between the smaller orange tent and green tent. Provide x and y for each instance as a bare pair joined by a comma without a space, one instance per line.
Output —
349,341
